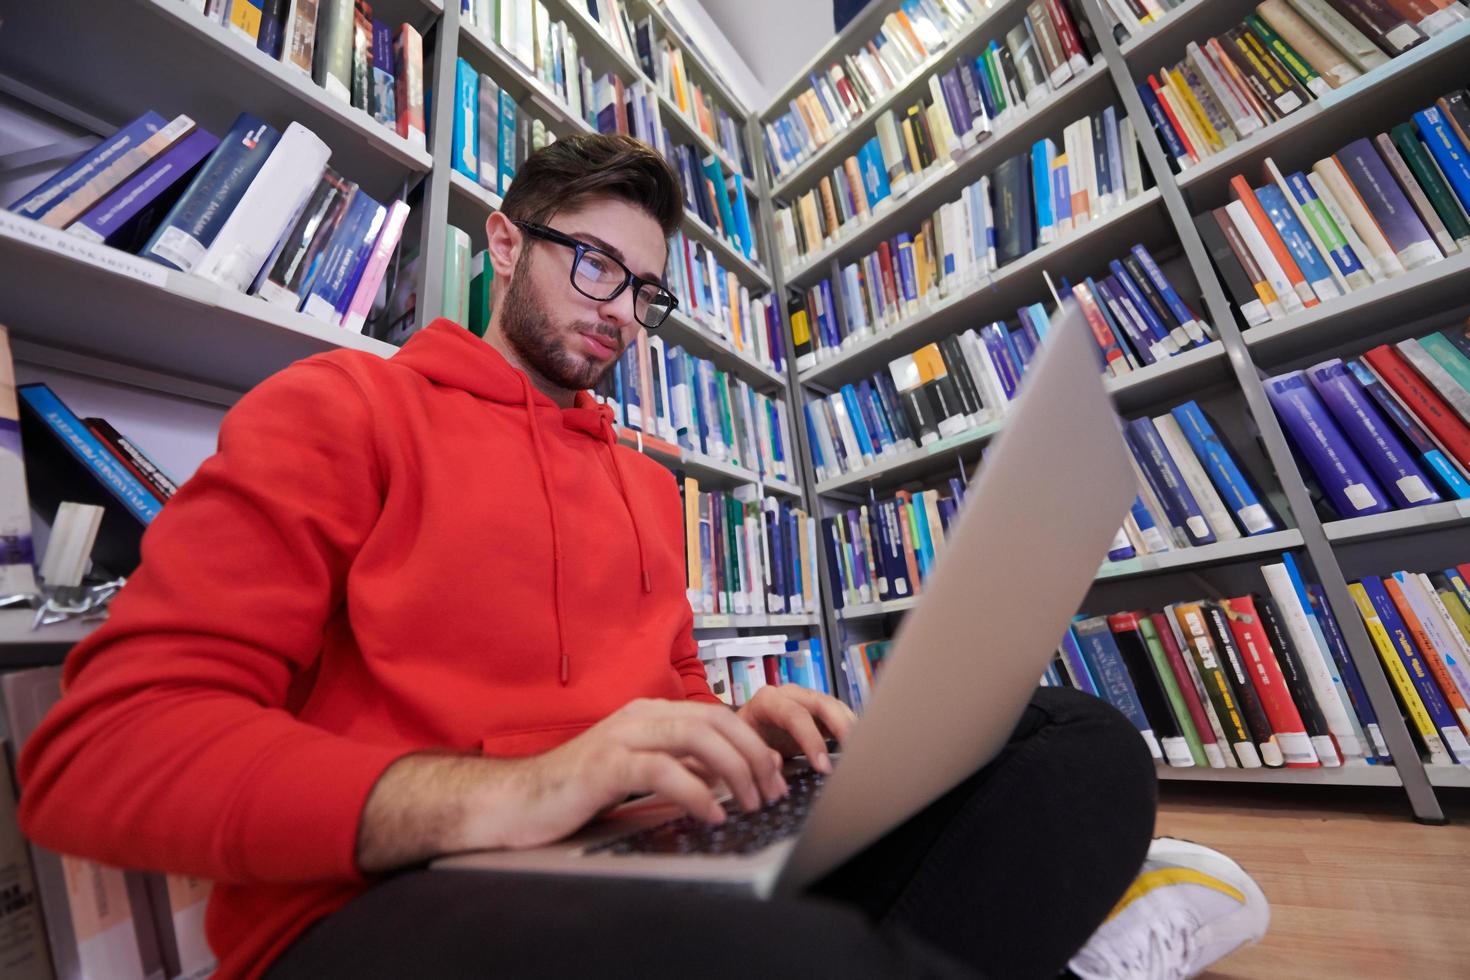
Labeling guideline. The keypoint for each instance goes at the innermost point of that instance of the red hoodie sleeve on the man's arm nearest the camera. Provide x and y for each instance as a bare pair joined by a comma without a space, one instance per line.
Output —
173,747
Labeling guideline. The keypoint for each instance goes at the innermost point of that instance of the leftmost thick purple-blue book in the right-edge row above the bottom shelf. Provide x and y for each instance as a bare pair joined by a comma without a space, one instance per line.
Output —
1343,477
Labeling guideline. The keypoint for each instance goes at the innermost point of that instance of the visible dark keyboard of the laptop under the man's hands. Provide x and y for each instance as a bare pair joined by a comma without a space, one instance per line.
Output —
742,832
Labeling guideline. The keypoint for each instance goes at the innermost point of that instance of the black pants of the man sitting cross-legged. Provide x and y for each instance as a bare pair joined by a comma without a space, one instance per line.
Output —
1003,878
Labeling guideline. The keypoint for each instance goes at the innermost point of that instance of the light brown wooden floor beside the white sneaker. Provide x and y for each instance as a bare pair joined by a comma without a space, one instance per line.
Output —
1358,888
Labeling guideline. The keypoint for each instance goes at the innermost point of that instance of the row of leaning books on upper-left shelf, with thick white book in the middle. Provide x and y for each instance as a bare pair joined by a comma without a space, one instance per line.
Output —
258,211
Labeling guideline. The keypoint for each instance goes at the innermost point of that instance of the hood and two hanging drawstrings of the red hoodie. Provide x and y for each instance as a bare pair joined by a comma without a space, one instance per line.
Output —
449,355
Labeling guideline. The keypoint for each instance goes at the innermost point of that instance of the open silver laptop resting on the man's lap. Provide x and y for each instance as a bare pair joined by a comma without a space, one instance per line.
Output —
1030,540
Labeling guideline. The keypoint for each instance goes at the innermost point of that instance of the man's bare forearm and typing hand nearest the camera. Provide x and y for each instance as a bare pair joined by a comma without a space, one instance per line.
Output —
427,806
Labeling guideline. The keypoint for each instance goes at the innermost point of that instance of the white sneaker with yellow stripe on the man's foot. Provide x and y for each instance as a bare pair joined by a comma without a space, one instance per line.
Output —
1188,909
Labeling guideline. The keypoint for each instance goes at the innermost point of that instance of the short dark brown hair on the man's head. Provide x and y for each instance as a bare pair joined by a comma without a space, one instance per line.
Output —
595,165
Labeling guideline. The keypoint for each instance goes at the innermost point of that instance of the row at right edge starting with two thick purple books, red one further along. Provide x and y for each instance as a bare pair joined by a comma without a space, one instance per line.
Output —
1383,433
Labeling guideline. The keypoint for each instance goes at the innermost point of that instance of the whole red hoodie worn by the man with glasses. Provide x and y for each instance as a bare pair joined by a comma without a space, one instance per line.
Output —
386,556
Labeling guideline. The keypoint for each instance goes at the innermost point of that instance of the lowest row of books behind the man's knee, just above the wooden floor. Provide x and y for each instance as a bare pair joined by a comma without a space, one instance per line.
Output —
1268,680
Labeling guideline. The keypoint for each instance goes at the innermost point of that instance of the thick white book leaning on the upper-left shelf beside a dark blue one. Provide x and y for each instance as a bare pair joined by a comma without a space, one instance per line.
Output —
270,205
